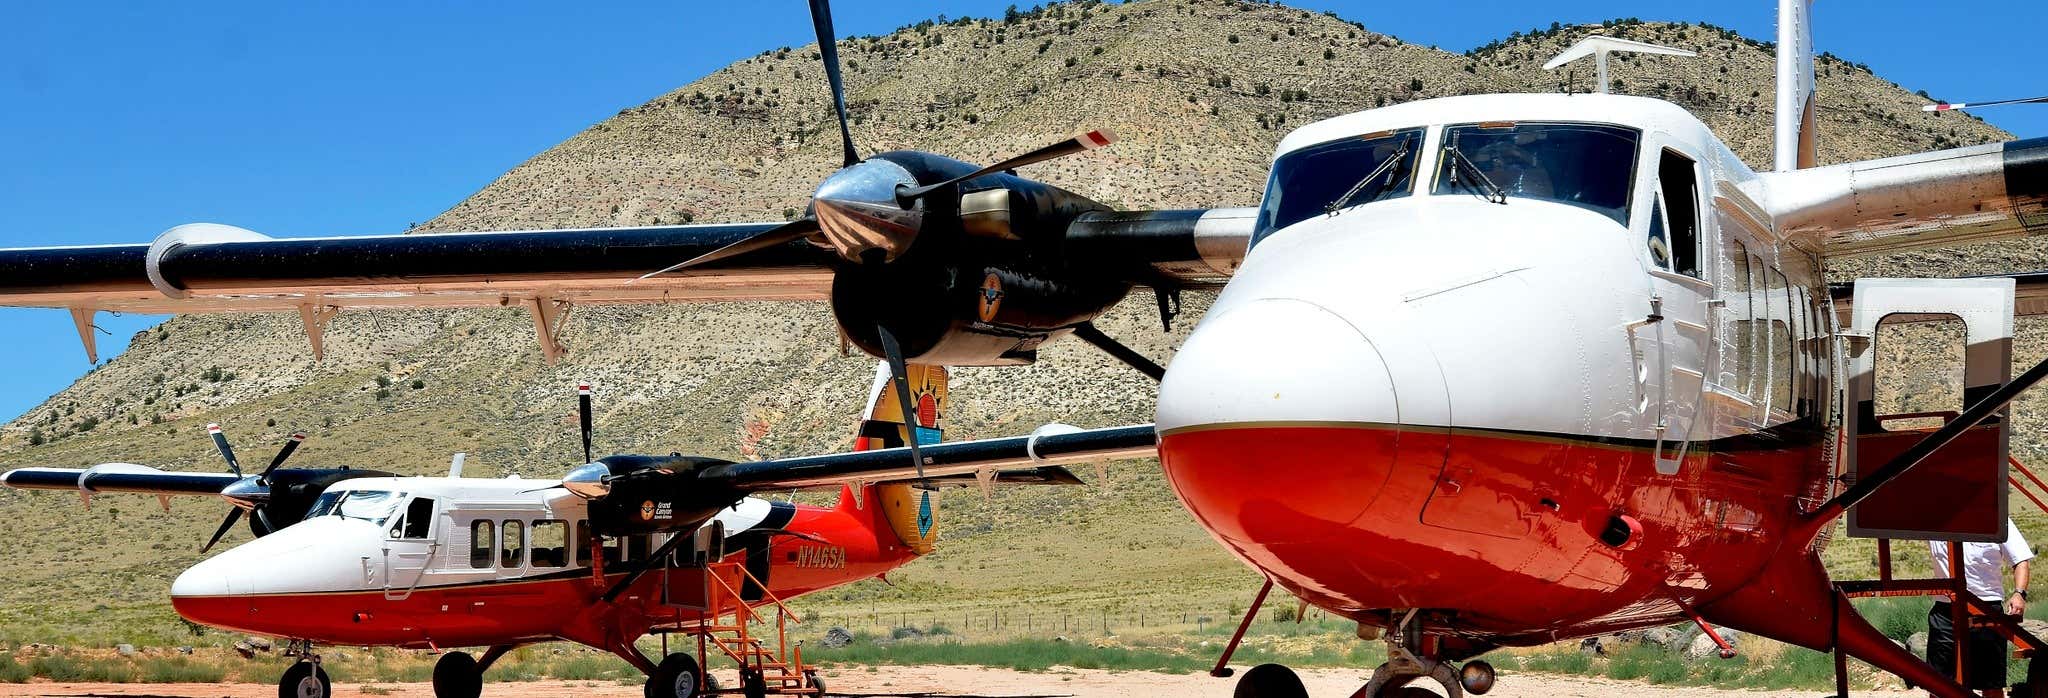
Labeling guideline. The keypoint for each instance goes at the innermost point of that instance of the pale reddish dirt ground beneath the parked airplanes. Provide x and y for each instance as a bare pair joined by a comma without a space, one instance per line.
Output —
962,683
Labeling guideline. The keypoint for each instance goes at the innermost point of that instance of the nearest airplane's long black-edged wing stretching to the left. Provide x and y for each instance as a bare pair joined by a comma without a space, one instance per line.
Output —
222,269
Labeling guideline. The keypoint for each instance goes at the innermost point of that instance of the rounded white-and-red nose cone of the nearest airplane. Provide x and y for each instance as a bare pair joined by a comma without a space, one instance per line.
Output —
1279,406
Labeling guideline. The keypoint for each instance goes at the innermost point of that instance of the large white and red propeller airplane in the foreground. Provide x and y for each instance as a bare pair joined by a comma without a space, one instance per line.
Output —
1484,372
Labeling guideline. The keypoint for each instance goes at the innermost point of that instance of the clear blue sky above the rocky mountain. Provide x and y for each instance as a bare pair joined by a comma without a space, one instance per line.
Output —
120,120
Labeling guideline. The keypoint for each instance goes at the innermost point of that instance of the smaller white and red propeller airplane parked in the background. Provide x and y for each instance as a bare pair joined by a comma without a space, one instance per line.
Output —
617,550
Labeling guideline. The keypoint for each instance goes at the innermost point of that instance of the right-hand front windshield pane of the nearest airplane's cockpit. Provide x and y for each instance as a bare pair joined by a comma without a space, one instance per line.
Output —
1582,165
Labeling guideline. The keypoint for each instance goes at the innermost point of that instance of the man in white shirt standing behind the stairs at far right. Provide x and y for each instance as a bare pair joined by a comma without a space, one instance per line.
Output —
1983,574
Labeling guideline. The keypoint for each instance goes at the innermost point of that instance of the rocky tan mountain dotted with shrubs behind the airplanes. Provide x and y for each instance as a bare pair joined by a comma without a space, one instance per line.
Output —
1199,93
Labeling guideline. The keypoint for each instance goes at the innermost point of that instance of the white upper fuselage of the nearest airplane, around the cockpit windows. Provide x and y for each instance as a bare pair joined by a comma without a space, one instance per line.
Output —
1494,316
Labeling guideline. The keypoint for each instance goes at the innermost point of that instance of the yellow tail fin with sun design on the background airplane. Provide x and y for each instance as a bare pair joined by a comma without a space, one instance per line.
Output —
908,509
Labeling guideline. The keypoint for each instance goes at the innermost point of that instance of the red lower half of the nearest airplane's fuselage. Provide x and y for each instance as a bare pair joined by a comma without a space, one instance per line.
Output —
1500,527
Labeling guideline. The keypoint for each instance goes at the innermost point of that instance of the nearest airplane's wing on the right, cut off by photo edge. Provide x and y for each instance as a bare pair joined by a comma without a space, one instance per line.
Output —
1934,200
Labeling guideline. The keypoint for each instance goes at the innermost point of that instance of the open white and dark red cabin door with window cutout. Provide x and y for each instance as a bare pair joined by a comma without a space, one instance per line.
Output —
1959,492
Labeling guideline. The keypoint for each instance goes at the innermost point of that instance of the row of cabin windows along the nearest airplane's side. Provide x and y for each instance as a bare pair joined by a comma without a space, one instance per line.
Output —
1777,337
